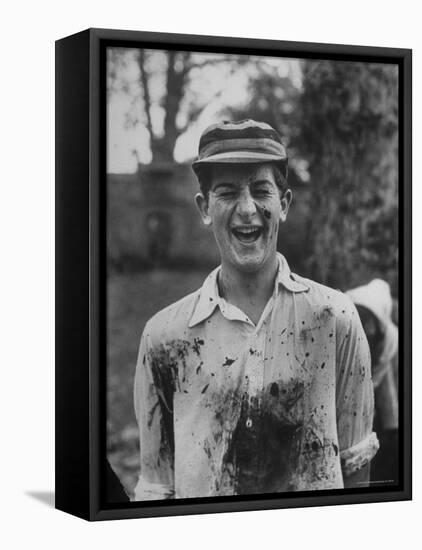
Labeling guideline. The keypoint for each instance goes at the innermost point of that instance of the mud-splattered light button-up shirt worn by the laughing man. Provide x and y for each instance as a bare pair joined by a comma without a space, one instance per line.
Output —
227,407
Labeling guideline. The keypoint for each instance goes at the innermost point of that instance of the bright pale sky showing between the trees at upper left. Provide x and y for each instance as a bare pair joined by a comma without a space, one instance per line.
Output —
214,87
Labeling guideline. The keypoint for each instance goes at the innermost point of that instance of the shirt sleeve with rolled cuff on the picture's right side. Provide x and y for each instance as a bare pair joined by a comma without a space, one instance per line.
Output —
354,394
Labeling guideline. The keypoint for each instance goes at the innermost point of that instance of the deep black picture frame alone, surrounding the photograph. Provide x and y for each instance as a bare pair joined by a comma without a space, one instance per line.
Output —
81,272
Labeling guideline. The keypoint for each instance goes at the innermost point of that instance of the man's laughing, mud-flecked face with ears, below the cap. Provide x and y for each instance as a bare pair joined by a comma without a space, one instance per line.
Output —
245,208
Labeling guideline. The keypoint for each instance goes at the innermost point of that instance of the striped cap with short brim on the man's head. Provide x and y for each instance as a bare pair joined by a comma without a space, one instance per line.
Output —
246,141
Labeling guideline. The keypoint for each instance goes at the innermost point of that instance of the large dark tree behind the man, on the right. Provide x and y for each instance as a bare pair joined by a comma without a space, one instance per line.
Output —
349,134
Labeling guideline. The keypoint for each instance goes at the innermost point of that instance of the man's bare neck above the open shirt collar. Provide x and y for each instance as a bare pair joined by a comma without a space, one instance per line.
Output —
249,292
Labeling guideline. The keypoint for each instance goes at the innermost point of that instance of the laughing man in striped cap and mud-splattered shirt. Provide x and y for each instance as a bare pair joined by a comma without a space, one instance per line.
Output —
259,382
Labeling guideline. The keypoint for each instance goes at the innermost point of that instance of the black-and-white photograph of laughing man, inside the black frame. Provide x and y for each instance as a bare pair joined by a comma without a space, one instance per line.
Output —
253,279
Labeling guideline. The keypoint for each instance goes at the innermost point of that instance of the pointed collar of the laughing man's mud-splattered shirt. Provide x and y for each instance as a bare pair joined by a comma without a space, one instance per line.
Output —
209,298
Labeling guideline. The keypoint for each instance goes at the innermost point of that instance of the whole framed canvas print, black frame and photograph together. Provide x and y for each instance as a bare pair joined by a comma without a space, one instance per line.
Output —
233,274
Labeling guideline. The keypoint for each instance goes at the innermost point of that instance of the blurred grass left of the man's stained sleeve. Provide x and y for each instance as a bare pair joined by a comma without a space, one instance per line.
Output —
132,298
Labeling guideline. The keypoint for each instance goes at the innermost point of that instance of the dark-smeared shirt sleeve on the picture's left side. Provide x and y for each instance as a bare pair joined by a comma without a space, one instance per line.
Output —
154,414
